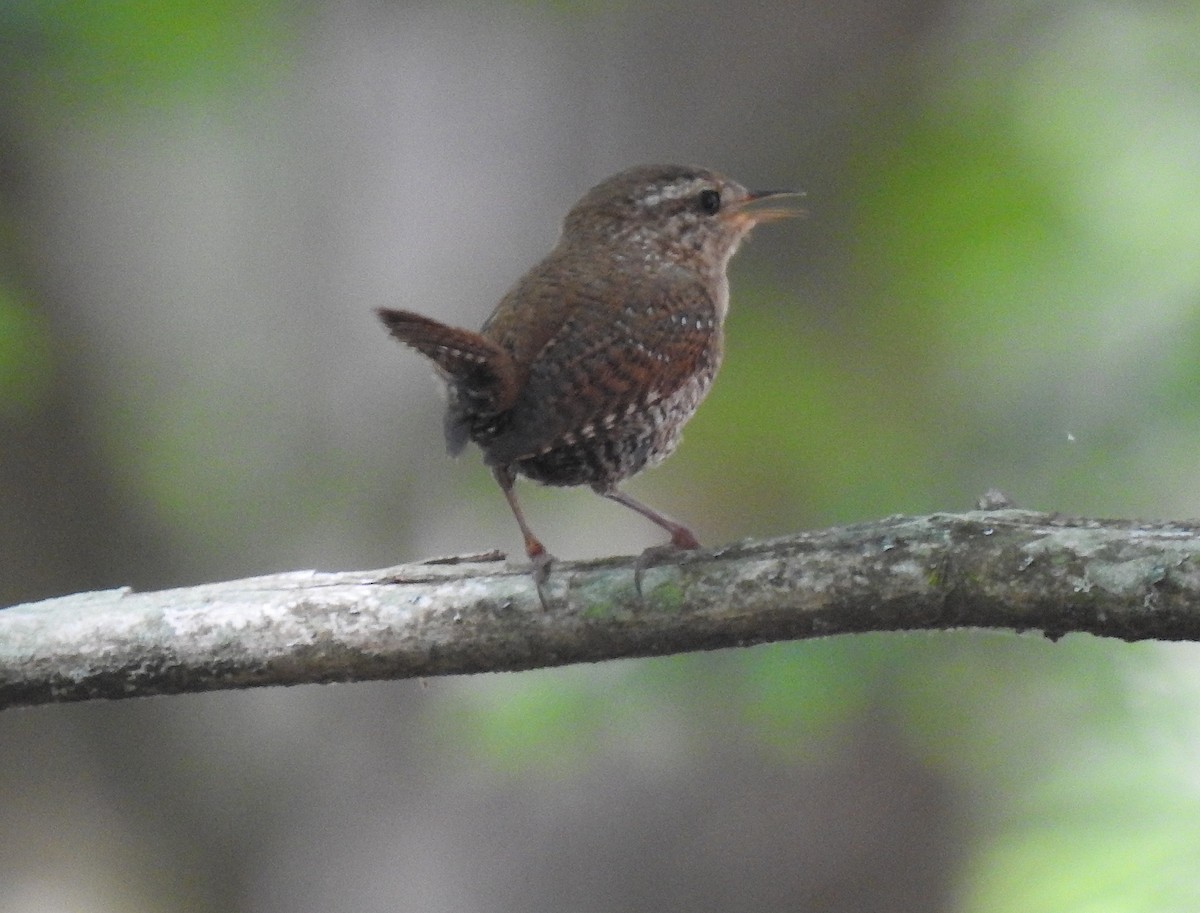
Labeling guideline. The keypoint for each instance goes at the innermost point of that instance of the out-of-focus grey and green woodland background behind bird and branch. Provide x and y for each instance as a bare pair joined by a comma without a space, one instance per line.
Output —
998,285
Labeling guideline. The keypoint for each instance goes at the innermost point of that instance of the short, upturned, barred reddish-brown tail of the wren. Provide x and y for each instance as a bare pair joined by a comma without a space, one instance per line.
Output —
482,373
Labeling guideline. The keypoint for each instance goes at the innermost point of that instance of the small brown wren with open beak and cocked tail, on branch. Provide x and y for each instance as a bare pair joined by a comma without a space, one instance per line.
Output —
589,369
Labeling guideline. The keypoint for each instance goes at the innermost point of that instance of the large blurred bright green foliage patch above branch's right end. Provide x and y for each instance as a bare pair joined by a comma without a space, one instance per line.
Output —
1027,236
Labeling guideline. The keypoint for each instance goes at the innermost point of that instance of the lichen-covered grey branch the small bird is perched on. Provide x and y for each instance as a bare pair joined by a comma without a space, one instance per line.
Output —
1006,569
